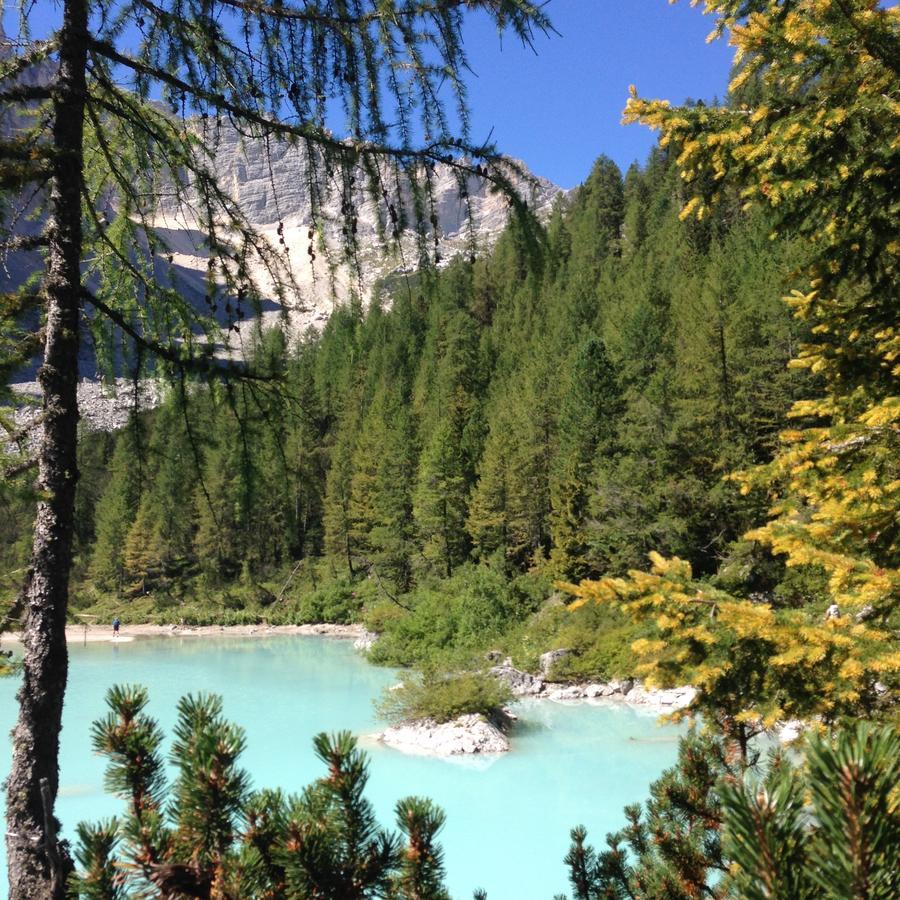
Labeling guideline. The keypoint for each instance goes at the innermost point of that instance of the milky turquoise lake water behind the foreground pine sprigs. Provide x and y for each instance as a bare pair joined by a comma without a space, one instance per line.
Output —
508,816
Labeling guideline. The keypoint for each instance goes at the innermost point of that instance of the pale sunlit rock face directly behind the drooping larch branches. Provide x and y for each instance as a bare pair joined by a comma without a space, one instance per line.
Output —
271,182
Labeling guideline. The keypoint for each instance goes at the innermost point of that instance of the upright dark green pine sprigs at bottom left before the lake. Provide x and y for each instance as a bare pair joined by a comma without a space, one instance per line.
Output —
208,835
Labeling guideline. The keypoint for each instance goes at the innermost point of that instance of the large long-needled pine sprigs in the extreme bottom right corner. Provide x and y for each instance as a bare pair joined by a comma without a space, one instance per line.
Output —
845,844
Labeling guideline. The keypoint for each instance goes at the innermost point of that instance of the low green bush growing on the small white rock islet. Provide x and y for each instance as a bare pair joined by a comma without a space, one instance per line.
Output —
444,696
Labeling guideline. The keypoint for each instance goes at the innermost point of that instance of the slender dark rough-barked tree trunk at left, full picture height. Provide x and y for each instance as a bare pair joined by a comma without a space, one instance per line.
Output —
37,868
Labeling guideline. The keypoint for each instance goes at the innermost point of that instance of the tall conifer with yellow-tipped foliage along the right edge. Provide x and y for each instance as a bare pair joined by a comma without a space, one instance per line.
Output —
811,134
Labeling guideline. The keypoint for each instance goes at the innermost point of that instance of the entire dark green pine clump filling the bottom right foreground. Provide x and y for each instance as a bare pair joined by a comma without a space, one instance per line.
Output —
826,826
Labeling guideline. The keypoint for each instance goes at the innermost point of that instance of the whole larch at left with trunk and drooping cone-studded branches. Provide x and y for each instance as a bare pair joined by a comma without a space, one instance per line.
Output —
268,70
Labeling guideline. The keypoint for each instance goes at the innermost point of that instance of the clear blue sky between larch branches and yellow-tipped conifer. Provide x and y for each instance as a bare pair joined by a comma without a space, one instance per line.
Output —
559,108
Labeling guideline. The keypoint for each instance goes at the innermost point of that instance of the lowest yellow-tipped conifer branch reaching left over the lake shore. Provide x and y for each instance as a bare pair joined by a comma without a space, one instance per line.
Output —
751,662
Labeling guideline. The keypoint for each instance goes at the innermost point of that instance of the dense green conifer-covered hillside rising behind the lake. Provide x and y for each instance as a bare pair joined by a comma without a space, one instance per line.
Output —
554,411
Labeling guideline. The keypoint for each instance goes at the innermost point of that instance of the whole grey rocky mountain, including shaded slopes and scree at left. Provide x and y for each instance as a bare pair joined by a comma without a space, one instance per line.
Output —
271,182
